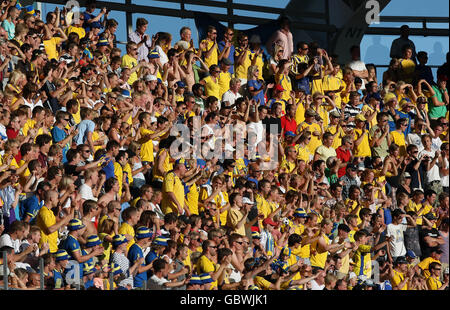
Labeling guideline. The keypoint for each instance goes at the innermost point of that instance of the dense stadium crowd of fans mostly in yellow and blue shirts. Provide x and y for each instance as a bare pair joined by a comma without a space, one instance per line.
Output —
339,180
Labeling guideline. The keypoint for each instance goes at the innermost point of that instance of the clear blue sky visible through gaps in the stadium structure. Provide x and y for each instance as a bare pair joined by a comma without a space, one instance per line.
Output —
374,49
